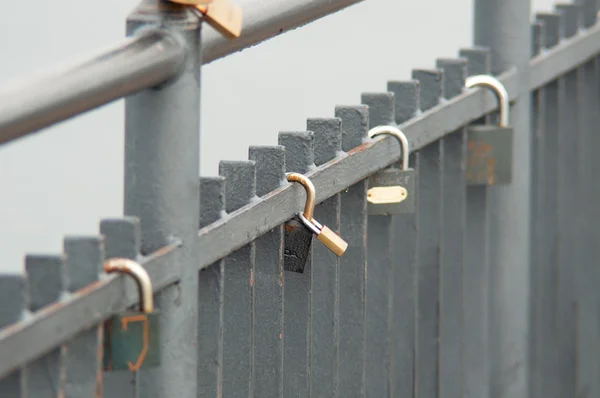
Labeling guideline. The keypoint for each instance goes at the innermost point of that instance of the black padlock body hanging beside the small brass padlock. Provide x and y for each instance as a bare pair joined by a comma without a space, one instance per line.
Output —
297,243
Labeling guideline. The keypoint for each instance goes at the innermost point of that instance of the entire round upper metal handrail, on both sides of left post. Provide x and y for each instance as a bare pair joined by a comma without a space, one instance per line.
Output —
145,60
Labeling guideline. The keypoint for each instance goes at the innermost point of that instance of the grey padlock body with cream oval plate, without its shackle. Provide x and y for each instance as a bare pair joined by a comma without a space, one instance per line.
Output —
392,191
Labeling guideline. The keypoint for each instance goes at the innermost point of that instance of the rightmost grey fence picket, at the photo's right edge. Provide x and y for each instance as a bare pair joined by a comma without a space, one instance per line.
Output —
587,273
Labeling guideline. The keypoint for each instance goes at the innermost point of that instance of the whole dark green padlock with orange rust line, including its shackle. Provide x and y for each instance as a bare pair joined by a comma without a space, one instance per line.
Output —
131,339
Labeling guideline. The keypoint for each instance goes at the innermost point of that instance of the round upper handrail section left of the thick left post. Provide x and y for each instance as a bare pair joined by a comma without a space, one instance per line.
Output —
142,61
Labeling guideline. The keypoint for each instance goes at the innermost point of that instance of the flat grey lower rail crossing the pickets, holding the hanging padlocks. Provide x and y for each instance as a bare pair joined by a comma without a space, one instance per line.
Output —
224,236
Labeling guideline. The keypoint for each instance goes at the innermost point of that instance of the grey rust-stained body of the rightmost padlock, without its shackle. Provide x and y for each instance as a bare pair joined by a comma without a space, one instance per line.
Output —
489,155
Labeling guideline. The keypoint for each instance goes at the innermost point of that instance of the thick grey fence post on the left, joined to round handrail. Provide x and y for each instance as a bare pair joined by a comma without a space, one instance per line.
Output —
162,143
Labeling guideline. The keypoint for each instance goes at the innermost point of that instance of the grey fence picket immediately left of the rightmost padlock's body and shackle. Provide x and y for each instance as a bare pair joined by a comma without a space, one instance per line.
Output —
452,245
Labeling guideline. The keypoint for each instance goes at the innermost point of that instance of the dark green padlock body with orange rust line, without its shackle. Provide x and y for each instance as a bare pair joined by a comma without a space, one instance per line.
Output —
131,341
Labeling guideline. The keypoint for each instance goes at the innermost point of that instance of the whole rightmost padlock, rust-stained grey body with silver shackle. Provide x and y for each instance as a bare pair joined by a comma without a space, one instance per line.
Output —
489,147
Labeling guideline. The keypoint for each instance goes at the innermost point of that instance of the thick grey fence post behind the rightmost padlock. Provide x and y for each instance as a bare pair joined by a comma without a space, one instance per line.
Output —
504,27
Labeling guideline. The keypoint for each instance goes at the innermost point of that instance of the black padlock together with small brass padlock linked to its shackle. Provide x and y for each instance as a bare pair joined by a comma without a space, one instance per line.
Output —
300,229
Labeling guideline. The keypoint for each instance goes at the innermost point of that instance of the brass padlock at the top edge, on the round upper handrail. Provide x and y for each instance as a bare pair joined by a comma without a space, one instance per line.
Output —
224,16
